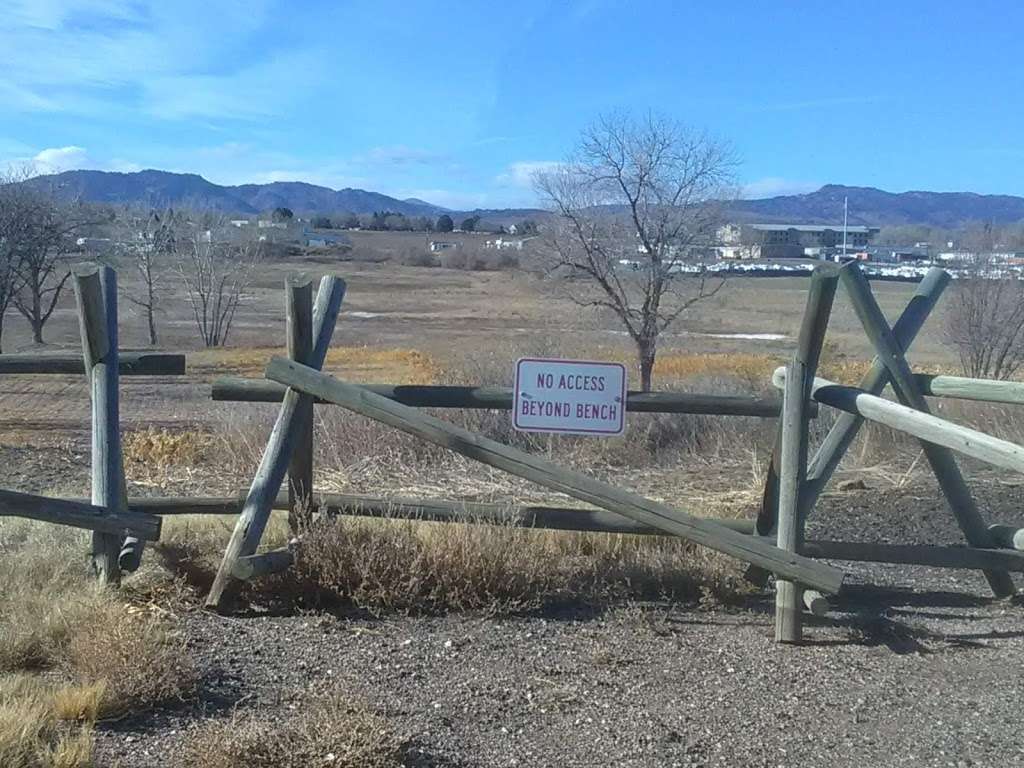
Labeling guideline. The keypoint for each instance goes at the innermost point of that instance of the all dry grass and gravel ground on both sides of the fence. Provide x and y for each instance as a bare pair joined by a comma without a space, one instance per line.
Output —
432,645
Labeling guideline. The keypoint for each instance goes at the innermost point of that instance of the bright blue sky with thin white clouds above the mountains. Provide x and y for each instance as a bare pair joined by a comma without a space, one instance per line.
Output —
458,103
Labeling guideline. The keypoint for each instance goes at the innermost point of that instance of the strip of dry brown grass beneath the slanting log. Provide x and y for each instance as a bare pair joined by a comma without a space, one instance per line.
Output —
415,566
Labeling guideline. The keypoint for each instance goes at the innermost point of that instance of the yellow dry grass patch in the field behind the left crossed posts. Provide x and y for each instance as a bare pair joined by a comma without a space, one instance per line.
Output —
394,366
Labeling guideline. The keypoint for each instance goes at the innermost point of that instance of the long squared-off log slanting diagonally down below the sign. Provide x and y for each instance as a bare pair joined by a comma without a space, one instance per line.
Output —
746,548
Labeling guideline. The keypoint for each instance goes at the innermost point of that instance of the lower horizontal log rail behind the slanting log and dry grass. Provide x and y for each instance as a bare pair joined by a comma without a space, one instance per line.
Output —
437,510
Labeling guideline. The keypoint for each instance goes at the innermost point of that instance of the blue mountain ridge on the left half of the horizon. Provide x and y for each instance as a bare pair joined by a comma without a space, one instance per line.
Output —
161,189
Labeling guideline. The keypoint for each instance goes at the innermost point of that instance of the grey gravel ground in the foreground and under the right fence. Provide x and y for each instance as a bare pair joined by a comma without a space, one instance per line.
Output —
916,667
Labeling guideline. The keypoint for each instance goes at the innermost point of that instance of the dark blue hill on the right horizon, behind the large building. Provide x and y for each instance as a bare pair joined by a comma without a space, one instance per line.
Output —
879,208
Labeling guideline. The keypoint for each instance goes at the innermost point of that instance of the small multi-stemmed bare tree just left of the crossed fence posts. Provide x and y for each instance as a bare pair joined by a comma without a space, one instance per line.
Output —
217,267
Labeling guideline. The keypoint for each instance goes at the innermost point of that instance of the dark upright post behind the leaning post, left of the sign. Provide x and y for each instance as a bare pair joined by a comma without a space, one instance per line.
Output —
300,305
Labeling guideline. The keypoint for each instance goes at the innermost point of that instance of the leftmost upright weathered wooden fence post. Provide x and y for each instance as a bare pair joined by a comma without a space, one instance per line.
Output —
97,291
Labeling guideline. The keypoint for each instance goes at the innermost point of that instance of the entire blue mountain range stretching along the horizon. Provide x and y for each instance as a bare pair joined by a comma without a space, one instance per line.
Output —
867,205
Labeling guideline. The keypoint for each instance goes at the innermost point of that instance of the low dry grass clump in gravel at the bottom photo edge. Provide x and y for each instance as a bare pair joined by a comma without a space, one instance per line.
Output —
331,731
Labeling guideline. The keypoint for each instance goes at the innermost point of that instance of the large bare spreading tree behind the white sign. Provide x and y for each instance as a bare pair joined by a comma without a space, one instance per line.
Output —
636,208
